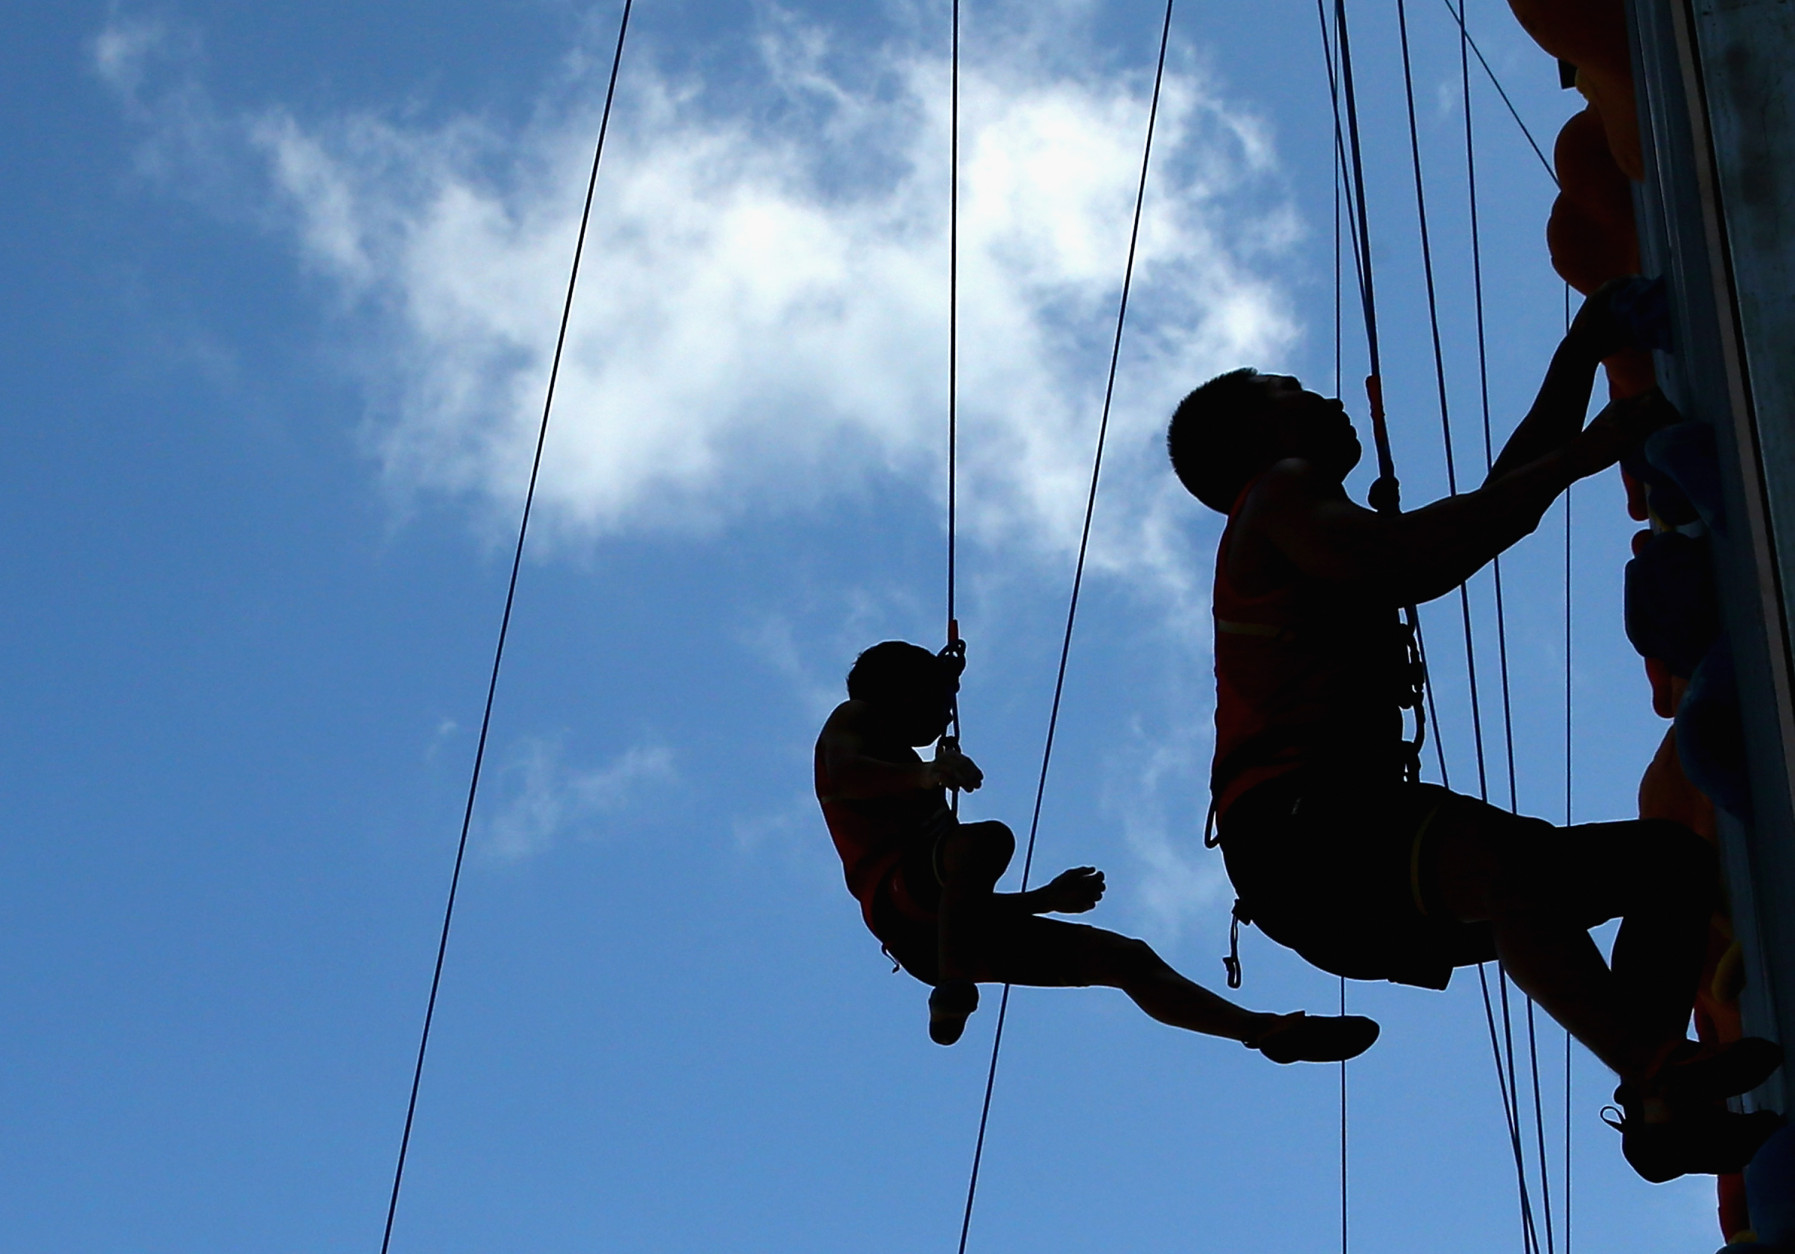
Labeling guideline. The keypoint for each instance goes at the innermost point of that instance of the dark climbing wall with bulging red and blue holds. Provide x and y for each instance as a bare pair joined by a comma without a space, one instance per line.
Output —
1683,166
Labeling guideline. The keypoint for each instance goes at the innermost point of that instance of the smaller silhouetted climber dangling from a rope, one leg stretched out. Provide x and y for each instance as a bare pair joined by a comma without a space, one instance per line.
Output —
927,882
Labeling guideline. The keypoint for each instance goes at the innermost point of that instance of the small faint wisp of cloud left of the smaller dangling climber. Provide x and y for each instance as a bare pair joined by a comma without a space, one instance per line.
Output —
541,801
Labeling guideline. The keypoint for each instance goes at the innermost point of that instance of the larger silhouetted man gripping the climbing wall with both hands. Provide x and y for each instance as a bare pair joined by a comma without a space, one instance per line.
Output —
1338,851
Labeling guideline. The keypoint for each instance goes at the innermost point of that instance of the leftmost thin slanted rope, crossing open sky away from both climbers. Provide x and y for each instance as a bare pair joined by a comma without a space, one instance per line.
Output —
505,625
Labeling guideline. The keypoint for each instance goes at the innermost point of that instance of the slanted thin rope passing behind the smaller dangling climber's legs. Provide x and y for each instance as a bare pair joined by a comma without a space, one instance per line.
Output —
1073,605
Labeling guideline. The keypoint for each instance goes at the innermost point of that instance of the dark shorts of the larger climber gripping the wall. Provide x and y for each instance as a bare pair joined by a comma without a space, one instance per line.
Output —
1340,867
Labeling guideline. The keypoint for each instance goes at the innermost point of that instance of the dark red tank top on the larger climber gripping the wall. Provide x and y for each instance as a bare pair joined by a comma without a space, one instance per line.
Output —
1309,672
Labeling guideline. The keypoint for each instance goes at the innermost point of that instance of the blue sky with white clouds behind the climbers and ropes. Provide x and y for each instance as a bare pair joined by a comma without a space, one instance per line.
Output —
285,286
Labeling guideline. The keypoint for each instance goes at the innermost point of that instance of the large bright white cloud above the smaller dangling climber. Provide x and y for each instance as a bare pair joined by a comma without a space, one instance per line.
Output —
762,318
